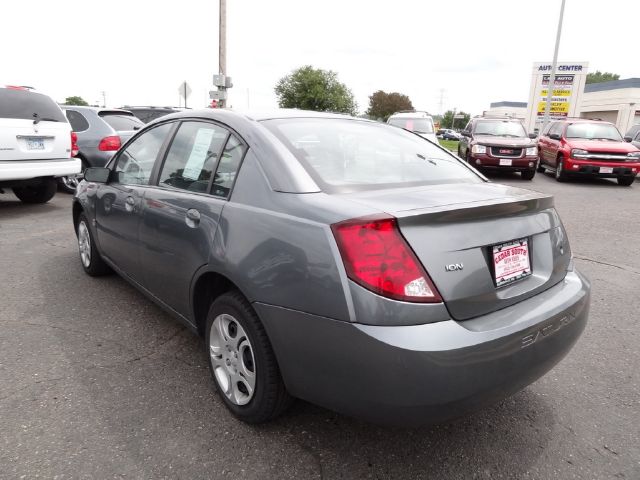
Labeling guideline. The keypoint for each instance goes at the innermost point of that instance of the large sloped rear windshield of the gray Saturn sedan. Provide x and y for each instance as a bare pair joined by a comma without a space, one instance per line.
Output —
350,155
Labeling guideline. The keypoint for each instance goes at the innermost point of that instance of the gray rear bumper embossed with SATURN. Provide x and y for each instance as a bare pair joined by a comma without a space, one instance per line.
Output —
411,375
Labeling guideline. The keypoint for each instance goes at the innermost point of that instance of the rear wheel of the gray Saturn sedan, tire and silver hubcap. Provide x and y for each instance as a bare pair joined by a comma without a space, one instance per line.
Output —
242,362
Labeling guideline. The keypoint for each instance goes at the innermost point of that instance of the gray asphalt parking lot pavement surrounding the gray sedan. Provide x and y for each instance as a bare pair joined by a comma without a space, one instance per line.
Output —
97,382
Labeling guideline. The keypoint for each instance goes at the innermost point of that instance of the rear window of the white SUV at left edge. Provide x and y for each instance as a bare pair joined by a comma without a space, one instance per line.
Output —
27,105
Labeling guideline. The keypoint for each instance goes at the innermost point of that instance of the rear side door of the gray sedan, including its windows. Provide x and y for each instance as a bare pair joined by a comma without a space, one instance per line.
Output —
182,210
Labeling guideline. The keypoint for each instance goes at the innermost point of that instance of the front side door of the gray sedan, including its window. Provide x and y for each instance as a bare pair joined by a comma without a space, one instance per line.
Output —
118,203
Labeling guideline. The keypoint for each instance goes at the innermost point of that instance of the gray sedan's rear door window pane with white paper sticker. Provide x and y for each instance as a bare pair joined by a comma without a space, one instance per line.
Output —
192,156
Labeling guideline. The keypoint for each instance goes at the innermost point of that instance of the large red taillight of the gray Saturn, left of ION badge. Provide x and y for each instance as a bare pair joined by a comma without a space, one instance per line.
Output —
376,256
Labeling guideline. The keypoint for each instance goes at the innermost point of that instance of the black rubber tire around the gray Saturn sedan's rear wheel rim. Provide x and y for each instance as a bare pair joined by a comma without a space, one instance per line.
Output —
270,397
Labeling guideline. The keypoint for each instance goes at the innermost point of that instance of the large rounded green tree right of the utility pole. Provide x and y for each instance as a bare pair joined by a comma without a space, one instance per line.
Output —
311,88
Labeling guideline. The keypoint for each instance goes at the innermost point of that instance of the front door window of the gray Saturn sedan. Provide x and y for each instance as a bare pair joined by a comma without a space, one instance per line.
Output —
135,163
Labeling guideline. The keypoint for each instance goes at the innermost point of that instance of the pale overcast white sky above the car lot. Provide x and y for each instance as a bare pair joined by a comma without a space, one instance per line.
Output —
461,54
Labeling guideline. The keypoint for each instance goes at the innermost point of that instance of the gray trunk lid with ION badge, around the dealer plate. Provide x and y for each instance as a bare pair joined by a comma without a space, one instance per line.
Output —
453,229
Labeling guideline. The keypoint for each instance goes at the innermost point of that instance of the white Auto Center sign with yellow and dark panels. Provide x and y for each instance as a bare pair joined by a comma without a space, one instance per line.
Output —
567,89
